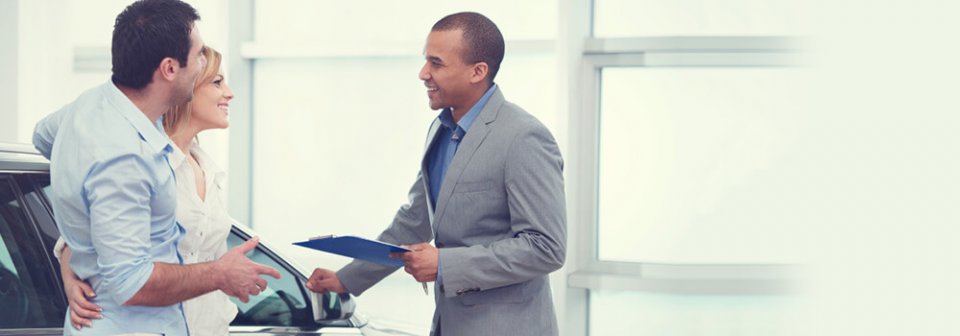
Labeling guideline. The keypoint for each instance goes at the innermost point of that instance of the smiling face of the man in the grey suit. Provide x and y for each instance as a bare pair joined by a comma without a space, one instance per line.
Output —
447,77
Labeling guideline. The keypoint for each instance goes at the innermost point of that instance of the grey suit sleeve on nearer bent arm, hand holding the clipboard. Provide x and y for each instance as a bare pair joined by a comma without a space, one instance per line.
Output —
533,180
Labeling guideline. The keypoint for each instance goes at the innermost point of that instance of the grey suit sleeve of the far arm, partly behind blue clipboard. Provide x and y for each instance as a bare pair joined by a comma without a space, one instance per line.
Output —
410,225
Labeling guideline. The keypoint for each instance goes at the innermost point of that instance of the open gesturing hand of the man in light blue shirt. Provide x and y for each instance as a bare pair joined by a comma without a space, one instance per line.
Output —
240,277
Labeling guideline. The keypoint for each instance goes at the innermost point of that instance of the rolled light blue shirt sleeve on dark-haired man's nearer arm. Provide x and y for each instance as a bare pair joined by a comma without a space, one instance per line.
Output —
118,194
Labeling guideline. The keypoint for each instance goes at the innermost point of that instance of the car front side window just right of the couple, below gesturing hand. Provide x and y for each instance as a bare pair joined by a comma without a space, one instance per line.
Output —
283,303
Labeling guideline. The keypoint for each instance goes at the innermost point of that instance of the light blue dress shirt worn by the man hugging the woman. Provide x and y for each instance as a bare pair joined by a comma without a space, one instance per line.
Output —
114,197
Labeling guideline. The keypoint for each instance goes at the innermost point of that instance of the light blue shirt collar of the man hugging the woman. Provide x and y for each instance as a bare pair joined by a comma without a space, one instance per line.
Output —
151,133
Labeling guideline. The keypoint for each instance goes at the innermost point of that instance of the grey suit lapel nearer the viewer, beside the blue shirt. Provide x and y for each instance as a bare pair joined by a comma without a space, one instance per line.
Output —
471,142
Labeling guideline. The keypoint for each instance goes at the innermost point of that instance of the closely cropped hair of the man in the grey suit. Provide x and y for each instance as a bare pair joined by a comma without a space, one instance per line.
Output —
482,39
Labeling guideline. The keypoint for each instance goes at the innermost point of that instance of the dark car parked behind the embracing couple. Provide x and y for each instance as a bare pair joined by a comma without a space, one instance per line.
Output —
32,300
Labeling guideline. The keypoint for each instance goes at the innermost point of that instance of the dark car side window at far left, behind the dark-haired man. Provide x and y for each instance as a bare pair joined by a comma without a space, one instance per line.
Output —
29,291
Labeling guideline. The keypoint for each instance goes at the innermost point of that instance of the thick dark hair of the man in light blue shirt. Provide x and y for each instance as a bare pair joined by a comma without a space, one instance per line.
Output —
145,33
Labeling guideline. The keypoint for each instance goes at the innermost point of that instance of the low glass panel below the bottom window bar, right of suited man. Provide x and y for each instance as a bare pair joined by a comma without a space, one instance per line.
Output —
641,313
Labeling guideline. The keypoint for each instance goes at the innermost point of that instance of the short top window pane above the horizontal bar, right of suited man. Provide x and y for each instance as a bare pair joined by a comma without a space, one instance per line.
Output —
625,18
